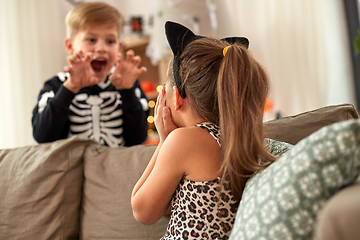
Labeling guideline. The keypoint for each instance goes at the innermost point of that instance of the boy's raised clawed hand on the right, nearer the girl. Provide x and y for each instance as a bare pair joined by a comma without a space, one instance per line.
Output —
126,71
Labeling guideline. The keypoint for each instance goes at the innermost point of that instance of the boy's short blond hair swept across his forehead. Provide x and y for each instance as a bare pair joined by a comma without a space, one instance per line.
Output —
92,13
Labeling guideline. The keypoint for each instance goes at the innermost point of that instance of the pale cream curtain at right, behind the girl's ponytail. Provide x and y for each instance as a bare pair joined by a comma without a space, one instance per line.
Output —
304,47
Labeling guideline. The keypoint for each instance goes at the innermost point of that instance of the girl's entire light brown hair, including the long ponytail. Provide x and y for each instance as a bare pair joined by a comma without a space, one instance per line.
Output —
229,91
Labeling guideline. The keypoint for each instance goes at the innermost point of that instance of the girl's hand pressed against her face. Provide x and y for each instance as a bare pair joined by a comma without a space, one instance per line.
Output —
163,120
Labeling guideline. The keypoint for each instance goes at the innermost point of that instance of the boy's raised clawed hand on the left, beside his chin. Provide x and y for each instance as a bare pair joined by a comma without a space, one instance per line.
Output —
79,70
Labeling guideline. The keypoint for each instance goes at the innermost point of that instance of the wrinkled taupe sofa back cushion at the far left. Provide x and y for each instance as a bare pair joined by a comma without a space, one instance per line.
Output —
40,190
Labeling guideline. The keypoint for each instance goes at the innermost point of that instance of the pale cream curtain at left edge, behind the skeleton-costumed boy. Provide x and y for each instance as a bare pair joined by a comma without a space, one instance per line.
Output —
31,47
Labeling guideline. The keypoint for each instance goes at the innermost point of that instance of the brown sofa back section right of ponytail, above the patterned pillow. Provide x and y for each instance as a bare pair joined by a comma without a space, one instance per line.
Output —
294,128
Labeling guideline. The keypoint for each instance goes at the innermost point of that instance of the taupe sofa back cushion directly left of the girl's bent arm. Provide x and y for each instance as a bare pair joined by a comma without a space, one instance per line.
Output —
110,175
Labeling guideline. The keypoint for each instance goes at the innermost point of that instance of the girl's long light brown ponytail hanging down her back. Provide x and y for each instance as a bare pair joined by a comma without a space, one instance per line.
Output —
242,89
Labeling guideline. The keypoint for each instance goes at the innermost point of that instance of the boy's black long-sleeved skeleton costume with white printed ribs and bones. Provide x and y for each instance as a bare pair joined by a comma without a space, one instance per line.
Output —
100,112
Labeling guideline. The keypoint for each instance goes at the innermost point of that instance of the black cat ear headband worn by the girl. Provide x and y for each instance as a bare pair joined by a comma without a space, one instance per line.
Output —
179,37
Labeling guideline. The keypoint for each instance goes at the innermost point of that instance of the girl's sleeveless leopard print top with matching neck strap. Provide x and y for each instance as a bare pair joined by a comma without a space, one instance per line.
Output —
200,210
